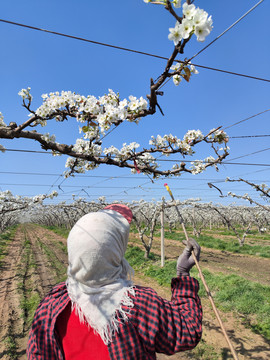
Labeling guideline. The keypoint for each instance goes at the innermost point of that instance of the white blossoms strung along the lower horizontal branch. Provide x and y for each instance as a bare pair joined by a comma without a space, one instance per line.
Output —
167,145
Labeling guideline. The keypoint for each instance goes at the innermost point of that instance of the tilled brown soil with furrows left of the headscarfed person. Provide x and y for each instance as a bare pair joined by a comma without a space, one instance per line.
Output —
33,265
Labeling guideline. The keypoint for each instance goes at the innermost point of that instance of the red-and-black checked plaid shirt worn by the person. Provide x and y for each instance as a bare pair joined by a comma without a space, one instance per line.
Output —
155,324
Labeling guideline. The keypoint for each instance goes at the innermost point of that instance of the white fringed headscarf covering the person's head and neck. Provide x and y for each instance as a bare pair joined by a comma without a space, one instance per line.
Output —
99,278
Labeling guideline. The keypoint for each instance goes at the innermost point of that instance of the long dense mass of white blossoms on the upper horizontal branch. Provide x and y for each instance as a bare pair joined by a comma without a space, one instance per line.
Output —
102,112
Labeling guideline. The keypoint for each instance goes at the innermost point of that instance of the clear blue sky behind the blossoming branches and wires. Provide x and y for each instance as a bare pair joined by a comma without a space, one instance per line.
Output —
48,63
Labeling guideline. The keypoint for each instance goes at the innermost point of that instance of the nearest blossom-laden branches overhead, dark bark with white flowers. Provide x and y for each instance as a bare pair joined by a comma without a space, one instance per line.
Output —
97,116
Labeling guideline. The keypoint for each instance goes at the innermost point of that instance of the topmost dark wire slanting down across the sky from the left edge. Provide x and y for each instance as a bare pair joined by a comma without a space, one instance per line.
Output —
129,50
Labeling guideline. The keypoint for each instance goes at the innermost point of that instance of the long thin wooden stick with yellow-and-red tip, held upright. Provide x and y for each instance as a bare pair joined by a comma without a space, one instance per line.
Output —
202,277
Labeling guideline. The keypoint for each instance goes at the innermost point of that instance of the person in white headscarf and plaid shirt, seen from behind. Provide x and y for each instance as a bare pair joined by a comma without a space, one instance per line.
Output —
98,313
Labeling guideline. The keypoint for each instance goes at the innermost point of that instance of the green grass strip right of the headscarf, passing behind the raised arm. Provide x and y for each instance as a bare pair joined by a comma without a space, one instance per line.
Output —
231,292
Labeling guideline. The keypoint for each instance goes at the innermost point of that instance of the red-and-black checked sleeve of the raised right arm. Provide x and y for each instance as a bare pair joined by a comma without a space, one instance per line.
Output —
170,326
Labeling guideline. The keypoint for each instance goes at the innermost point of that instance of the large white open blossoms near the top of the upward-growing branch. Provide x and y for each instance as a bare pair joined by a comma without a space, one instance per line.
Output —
195,21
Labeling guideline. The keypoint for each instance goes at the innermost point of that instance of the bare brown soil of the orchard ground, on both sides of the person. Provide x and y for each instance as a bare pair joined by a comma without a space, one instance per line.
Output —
36,260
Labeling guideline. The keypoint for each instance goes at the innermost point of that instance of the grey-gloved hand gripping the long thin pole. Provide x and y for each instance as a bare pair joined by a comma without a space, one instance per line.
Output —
185,260
